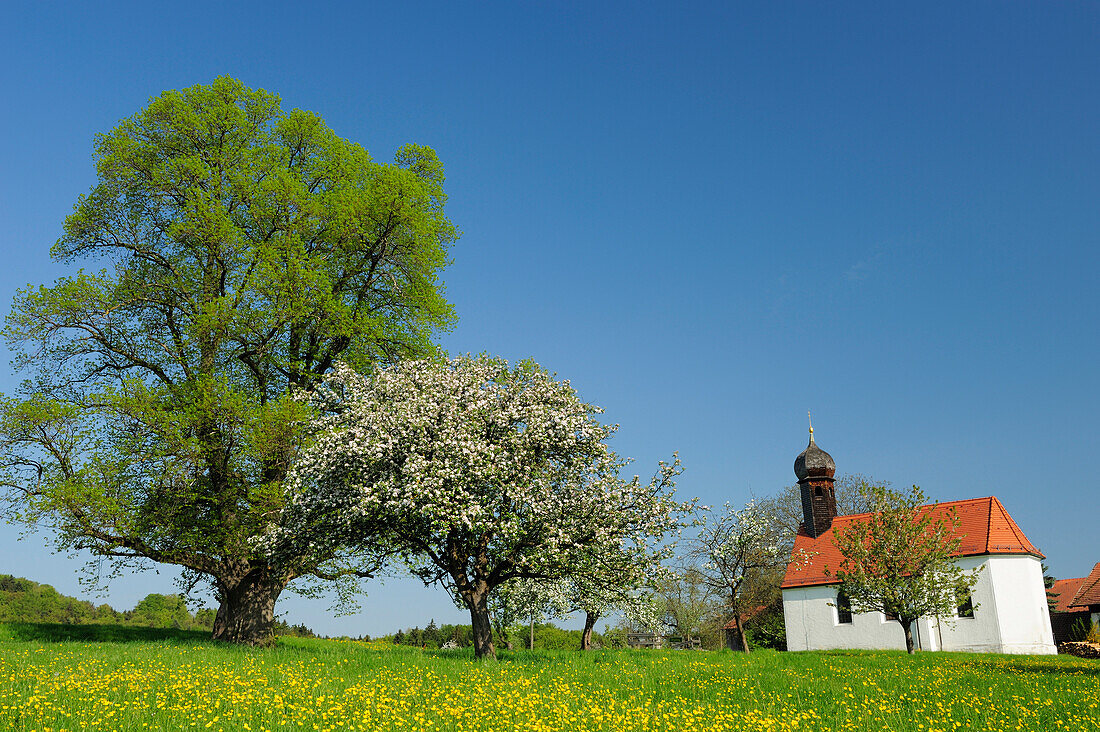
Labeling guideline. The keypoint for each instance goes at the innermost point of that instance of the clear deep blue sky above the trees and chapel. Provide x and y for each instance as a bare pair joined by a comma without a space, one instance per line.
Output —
711,218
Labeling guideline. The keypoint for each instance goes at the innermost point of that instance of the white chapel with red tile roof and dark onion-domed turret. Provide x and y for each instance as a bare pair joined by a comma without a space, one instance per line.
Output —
1007,611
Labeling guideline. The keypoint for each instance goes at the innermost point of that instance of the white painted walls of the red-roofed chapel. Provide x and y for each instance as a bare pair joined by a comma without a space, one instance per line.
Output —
1010,616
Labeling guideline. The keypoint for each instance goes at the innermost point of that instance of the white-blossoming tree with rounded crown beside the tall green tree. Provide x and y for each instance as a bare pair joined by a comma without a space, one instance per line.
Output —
476,474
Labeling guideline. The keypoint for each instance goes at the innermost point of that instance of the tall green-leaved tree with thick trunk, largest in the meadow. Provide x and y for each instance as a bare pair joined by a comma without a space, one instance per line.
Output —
244,250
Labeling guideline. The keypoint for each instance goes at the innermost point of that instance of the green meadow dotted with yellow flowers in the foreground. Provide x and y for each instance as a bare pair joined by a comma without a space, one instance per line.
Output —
56,678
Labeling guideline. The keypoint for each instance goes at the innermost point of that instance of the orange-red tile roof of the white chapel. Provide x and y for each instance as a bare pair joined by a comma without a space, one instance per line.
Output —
984,523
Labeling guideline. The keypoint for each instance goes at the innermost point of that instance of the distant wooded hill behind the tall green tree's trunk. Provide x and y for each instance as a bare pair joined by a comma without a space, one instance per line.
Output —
25,602
